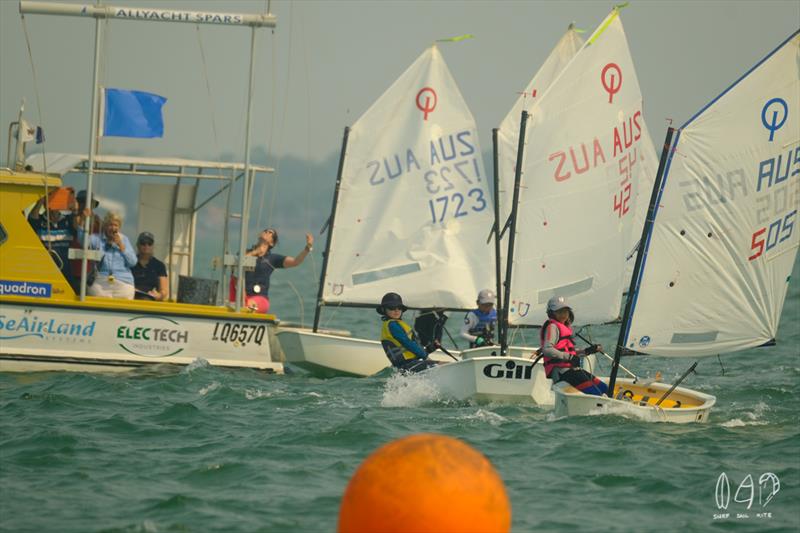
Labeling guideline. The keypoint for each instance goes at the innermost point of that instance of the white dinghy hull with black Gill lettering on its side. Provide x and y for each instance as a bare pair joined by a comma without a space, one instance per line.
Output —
493,379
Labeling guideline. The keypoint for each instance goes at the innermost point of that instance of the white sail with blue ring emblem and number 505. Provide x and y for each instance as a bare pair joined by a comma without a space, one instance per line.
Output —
726,233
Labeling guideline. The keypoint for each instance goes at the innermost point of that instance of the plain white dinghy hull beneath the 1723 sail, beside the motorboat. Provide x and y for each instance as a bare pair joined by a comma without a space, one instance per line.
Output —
325,355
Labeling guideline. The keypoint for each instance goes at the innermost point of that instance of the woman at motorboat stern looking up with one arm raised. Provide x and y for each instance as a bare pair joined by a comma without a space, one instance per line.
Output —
256,283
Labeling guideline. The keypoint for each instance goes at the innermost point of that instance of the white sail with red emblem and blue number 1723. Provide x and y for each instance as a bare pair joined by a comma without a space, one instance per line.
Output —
414,208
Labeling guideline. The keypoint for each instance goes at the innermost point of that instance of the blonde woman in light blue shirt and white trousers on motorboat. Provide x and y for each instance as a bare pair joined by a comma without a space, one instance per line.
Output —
114,277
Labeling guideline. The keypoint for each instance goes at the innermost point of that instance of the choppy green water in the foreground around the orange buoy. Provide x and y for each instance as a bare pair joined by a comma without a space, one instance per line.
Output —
204,449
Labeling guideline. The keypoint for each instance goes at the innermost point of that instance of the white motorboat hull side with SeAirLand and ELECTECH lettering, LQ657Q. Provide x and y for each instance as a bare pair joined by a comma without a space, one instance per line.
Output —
49,337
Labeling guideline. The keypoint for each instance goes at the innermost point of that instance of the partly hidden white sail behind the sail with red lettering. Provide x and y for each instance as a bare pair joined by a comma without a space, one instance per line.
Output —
508,132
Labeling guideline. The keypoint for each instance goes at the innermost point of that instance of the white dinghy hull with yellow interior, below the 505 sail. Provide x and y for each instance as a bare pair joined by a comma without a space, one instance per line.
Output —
694,406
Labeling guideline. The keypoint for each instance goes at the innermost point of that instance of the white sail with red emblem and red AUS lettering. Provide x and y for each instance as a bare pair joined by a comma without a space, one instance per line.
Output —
580,176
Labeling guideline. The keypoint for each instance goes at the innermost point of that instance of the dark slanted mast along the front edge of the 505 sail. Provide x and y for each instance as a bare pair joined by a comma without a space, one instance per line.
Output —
641,255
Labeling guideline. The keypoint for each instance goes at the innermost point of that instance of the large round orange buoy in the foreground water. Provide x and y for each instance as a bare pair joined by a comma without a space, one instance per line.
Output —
425,483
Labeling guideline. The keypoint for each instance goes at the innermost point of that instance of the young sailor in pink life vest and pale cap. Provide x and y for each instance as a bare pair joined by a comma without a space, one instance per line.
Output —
560,358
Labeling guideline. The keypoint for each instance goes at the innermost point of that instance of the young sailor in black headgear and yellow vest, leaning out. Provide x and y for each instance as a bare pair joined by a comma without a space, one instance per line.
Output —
399,340
